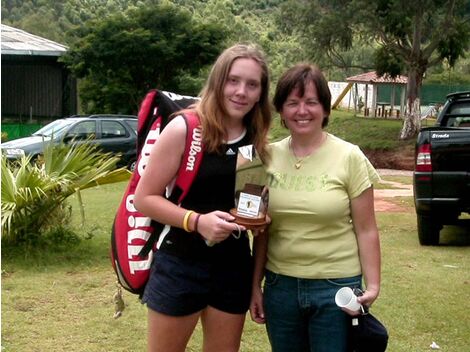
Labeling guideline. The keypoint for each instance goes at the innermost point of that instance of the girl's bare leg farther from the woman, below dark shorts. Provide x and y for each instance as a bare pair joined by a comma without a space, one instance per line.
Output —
169,334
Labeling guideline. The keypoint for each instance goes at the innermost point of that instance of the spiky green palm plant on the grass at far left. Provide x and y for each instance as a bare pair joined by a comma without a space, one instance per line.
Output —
34,194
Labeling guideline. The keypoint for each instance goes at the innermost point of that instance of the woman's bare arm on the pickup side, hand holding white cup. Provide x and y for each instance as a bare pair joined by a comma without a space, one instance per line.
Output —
367,234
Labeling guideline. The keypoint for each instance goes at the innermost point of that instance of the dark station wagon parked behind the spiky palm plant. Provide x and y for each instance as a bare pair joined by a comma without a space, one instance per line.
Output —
113,133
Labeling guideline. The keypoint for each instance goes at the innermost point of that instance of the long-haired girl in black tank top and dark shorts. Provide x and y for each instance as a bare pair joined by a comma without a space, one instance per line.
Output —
191,279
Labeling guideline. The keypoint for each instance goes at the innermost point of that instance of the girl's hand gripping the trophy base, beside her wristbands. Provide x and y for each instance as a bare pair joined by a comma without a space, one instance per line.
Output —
216,226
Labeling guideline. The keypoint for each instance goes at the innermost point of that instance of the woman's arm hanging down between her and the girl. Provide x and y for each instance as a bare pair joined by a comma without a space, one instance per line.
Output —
260,246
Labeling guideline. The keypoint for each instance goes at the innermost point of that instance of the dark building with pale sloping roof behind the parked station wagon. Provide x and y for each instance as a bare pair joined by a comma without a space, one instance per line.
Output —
35,85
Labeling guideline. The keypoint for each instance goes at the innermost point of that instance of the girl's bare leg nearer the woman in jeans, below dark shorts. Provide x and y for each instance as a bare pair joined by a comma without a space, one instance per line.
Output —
222,331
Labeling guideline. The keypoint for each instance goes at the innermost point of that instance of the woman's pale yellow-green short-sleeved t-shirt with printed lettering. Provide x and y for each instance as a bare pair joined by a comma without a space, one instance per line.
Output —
311,234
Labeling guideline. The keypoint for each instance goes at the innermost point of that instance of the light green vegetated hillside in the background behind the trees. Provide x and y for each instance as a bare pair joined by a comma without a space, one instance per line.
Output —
262,21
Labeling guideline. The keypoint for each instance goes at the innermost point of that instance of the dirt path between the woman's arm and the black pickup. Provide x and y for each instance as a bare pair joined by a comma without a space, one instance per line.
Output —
382,197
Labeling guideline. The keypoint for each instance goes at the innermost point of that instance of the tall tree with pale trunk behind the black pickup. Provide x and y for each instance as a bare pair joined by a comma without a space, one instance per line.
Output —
408,36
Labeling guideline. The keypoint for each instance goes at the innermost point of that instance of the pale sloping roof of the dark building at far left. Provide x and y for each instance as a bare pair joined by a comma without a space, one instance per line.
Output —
18,42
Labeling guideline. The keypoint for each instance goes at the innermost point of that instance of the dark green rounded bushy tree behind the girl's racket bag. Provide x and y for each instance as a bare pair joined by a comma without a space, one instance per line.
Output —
120,58
